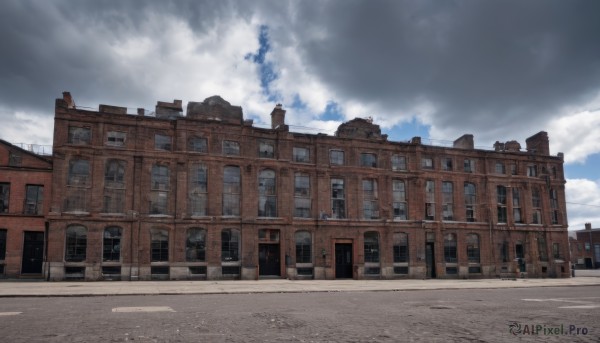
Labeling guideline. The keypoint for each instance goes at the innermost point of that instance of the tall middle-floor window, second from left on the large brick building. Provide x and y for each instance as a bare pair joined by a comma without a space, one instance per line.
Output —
114,186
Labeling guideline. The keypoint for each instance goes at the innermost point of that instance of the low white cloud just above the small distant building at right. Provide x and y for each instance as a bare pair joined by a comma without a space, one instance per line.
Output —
583,203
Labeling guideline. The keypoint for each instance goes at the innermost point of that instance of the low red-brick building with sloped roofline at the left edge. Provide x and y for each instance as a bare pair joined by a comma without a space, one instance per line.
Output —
25,180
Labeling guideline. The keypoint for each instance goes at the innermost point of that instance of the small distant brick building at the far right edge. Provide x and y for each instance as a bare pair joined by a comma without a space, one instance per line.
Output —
585,248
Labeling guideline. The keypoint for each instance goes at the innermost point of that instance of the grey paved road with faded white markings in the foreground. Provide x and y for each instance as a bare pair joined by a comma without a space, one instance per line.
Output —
473,315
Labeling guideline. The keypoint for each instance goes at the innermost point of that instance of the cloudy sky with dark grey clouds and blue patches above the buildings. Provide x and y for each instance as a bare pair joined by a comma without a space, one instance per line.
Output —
501,70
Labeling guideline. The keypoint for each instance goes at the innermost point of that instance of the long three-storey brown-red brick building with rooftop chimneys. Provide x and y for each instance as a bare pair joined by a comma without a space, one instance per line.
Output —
209,195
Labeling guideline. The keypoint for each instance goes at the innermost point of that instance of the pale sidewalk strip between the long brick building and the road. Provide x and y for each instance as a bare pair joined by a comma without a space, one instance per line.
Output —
108,288
